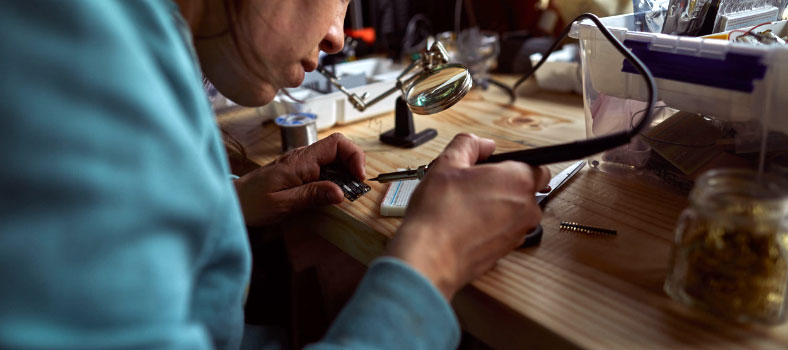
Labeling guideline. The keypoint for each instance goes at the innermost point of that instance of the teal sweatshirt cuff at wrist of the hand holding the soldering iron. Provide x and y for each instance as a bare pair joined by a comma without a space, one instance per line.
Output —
394,307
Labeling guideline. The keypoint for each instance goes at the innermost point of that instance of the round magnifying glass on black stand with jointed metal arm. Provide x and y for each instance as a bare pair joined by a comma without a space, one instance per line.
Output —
428,85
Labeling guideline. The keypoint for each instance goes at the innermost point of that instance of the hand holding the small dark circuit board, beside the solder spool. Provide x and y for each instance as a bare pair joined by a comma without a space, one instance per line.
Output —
291,182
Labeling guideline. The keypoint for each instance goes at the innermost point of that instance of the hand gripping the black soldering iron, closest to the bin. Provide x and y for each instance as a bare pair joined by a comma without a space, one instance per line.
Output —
462,218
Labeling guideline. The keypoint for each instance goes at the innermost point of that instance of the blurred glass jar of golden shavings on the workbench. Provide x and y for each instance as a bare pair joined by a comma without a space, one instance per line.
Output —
729,255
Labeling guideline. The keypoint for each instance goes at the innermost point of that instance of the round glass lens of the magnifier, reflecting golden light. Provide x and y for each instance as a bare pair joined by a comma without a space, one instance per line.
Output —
439,89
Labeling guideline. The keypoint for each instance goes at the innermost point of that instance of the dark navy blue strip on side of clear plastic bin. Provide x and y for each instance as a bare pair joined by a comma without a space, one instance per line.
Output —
736,72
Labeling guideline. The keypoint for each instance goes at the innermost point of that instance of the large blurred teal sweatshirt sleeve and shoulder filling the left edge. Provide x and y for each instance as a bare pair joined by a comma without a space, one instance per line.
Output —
118,227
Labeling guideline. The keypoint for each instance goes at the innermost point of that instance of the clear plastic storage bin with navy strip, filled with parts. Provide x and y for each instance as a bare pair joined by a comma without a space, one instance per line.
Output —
732,89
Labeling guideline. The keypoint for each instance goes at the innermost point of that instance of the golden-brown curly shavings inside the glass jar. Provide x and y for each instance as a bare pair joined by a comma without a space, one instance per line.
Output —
734,273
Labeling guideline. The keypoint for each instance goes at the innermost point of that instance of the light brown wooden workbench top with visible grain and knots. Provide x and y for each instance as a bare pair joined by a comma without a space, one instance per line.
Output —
573,290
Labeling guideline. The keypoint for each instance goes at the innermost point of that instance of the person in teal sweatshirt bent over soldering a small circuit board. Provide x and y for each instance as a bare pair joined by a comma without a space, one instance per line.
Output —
120,226
